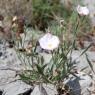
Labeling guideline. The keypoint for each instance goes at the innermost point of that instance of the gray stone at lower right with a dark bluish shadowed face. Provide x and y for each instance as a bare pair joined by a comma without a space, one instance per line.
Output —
80,85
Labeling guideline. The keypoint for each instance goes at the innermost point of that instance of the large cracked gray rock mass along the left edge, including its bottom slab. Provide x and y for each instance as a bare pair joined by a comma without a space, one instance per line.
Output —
10,66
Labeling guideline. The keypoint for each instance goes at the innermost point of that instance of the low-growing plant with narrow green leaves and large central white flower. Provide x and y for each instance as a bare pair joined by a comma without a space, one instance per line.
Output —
59,46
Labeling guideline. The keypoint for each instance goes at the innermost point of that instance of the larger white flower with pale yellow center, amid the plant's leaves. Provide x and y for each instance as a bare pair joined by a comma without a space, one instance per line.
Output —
49,42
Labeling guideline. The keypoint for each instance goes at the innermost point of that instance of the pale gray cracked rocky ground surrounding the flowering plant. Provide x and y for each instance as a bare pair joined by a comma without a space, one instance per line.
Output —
11,66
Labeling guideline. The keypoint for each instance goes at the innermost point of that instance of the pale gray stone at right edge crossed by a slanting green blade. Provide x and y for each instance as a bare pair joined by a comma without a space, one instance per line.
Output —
81,61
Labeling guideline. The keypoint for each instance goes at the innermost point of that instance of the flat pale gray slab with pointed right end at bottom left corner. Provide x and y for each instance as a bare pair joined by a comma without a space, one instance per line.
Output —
15,88
